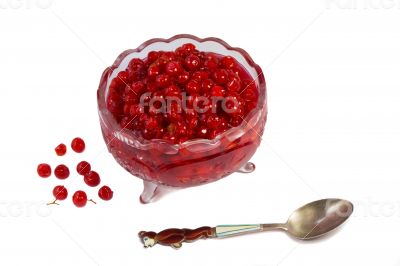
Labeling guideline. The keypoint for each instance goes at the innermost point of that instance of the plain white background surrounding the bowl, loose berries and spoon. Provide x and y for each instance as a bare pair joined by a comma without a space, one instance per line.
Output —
332,70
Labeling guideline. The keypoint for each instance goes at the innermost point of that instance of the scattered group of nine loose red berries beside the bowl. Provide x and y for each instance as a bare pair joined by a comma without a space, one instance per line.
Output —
90,177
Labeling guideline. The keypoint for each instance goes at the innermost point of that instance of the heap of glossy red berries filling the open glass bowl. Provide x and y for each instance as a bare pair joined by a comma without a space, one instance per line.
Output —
211,93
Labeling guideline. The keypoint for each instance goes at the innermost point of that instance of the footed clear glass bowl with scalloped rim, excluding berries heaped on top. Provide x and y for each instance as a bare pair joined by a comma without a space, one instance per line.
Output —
163,165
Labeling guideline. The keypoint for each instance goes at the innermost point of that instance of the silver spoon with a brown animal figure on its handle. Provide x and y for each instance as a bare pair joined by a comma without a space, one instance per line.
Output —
310,221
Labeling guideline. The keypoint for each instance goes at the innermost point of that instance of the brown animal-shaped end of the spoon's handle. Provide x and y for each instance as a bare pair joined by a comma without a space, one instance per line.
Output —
175,237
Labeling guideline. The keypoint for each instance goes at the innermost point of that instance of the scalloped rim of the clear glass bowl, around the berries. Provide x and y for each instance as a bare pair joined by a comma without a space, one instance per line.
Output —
128,136
